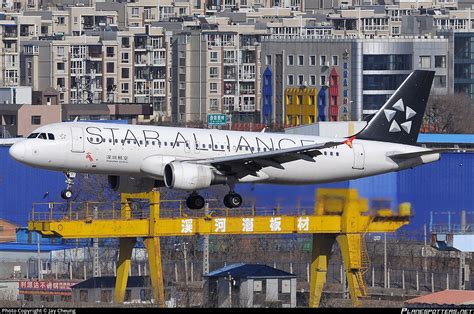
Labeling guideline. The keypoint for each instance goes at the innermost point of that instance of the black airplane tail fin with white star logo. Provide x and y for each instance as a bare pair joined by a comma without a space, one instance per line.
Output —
399,120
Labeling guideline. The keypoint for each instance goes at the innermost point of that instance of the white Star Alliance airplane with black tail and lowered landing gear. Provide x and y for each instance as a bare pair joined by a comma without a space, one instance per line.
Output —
138,158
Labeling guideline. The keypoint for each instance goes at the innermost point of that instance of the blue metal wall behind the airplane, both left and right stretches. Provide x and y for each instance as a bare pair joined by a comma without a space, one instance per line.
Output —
440,186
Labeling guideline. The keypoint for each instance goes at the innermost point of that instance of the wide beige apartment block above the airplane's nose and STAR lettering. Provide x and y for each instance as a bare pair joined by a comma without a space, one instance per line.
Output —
101,66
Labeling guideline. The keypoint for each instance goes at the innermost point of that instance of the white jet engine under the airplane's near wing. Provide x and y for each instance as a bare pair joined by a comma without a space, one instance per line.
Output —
187,176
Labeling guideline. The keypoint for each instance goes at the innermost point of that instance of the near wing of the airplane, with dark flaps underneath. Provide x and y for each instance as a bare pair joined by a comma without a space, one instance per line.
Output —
249,164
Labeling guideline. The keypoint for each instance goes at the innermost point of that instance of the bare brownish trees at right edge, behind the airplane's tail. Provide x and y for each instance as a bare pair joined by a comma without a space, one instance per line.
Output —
451,113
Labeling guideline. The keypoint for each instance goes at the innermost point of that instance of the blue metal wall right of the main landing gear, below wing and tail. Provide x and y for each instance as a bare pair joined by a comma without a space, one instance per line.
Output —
441,186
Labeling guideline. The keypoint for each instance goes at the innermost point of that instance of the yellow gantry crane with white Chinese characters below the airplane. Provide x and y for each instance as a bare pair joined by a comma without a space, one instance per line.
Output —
340,215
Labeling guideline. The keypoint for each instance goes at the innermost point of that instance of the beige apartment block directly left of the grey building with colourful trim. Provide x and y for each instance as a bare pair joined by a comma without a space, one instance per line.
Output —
215,70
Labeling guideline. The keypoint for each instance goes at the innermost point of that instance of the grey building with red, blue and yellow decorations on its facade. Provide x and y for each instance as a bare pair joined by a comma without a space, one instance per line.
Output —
311,63
